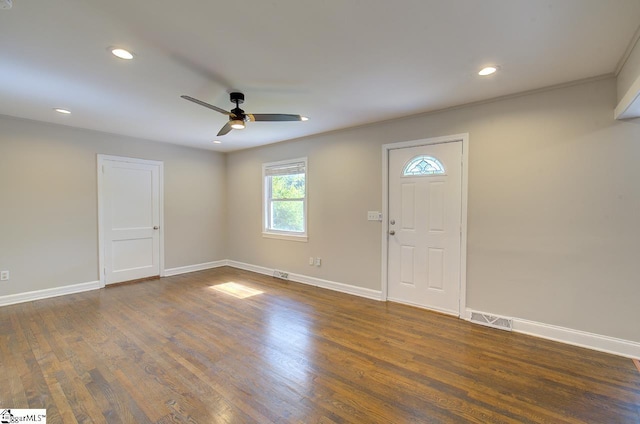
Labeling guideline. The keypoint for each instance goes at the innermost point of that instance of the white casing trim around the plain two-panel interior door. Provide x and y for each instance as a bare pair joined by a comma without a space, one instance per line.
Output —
101,159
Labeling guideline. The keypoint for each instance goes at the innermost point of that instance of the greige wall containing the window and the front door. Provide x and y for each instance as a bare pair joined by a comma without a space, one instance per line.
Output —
554,200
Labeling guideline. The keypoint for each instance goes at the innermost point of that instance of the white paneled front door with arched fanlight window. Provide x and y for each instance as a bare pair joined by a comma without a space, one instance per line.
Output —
424,244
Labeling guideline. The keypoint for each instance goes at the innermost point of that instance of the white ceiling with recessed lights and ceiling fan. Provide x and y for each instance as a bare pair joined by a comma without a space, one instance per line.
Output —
341,62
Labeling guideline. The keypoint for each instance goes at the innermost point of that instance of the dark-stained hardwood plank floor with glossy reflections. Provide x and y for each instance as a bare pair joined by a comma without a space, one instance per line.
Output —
175,350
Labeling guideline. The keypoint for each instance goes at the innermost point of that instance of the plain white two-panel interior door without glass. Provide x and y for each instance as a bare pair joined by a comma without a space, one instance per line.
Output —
130,218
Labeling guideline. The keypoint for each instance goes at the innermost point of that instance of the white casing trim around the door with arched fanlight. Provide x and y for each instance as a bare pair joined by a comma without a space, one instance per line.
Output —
386,149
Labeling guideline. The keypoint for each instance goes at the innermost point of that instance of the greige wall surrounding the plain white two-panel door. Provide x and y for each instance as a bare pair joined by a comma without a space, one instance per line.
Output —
48,203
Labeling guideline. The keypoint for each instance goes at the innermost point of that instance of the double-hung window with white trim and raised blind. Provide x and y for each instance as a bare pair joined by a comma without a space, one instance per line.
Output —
285,199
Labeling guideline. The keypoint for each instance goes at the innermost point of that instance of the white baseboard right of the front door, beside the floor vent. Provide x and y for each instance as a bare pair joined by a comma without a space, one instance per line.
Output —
570,336
